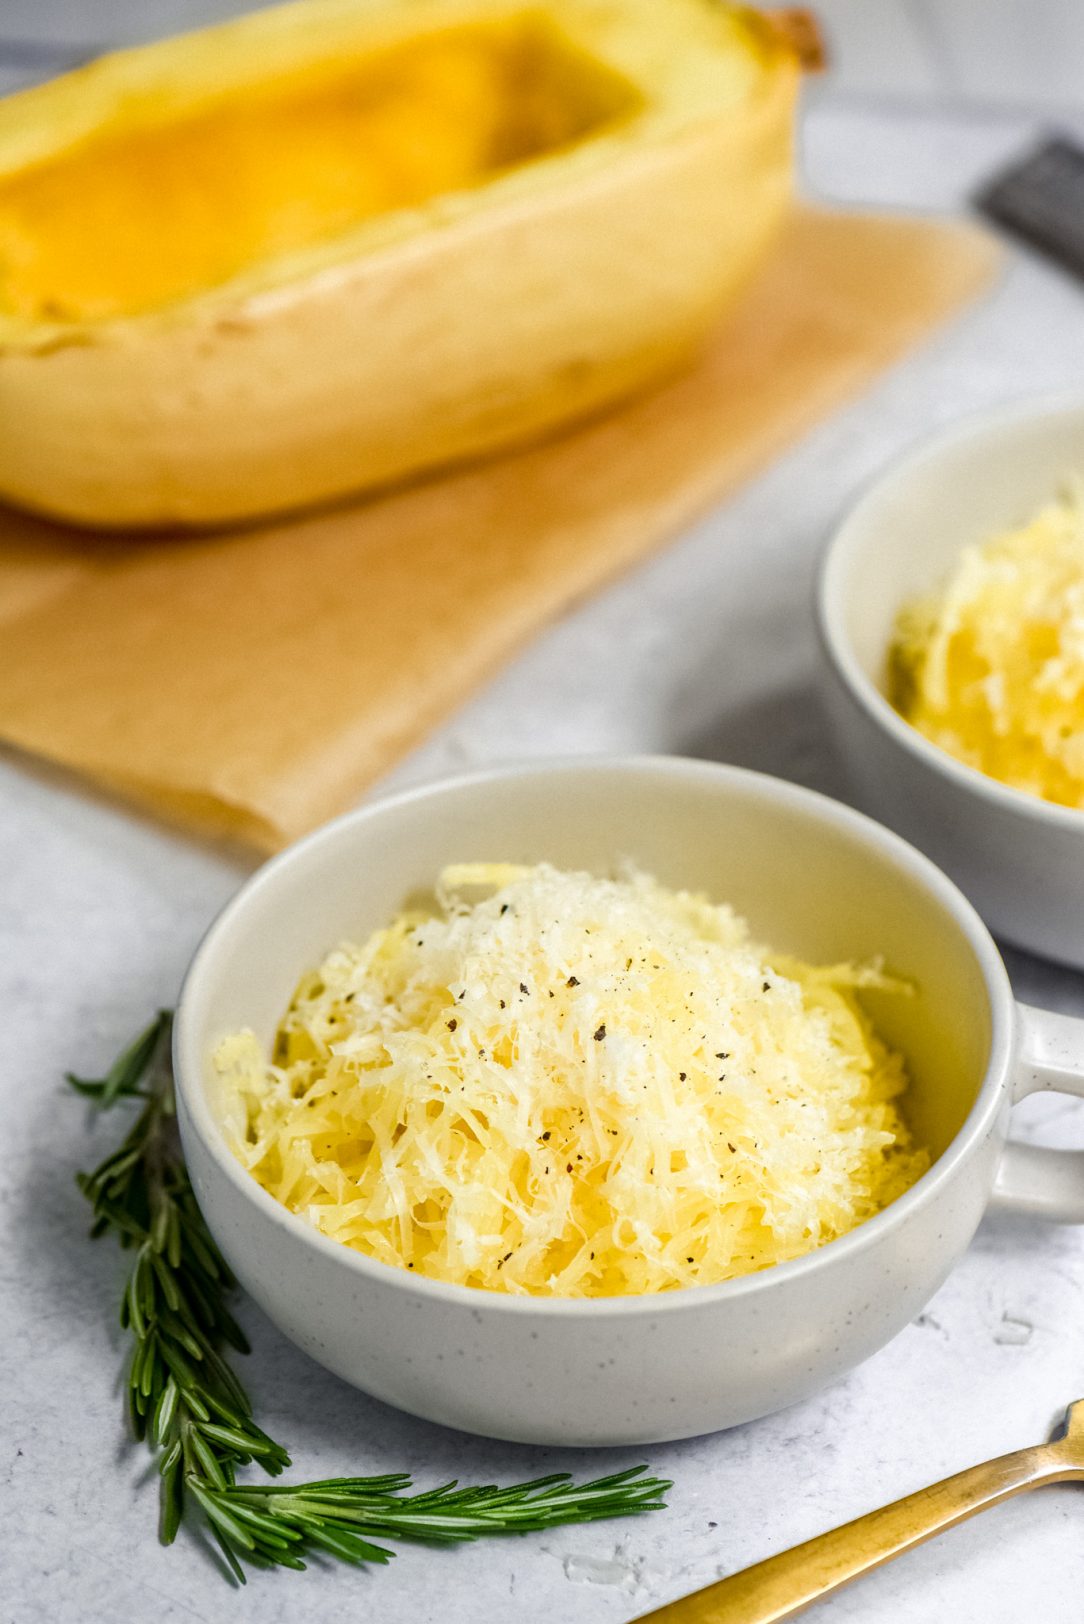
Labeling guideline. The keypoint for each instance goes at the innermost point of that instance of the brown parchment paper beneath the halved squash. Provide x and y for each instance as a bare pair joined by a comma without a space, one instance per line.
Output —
253,685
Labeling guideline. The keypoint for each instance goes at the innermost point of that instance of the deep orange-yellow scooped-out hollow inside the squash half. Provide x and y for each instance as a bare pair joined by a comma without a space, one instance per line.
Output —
141,217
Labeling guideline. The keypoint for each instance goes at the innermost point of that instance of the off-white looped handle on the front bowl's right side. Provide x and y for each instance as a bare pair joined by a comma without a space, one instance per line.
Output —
1034,1180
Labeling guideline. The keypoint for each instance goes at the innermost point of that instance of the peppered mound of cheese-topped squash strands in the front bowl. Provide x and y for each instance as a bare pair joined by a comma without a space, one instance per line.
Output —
576,1087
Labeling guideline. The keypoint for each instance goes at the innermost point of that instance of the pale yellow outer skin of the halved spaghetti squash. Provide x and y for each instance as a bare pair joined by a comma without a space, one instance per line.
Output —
454,340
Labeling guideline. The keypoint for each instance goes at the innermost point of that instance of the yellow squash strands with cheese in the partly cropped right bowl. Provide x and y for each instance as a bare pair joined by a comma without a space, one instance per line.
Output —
992,668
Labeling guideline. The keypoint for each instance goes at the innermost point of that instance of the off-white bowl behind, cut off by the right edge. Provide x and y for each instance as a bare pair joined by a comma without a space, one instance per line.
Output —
1020,860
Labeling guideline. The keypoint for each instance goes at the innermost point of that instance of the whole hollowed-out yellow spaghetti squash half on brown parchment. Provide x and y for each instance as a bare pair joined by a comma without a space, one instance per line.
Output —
345,241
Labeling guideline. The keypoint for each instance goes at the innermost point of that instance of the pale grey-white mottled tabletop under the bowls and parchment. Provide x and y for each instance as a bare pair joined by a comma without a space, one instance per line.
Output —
709,650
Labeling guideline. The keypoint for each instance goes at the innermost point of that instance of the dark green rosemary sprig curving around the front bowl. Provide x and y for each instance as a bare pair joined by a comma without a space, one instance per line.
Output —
186,1401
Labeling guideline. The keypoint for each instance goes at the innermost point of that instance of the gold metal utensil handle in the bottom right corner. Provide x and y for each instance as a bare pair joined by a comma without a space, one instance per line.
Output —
796,1579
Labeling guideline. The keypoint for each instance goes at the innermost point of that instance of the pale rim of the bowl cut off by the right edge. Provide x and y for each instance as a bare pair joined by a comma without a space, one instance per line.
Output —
830,602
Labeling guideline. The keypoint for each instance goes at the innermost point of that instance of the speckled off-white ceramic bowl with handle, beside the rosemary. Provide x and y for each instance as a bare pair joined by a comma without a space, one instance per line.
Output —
815,879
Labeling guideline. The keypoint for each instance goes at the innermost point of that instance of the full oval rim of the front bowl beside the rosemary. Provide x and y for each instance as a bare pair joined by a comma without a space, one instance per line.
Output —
978,1125
